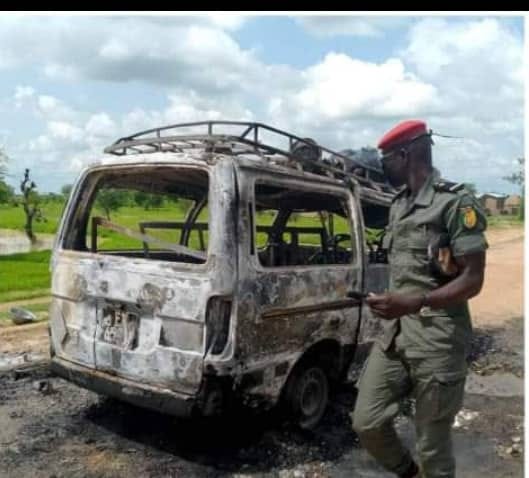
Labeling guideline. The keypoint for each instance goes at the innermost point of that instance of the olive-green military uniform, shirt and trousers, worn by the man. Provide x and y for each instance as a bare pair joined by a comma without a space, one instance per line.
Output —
422,354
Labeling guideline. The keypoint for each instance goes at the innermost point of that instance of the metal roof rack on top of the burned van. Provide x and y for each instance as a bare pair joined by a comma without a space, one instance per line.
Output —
246,138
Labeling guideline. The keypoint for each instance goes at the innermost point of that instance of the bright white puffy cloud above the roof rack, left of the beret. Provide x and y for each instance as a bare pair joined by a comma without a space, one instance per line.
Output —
341,88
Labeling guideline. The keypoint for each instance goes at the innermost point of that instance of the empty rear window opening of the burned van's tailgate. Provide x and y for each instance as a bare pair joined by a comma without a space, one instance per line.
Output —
158,213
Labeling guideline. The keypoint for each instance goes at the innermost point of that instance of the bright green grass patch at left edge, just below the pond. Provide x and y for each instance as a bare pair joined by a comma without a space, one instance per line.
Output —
23,276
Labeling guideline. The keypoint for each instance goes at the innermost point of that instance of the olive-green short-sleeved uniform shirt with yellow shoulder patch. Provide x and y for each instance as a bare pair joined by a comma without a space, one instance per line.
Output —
414,224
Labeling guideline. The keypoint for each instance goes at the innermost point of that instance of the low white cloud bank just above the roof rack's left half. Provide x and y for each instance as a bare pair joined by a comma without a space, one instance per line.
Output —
73,143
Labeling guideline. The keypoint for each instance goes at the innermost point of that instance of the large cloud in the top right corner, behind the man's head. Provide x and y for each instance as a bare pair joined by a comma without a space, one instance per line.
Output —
476,65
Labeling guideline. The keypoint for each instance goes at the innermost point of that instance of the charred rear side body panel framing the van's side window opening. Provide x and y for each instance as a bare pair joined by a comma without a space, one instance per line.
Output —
283,311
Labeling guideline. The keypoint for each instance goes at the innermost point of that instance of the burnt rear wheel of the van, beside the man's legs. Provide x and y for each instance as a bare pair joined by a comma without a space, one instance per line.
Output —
307,395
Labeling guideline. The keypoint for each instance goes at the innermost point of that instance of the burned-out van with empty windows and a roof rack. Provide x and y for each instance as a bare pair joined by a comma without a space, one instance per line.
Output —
195,270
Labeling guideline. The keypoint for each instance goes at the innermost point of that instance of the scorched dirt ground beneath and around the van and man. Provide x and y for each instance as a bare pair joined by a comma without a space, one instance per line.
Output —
50,428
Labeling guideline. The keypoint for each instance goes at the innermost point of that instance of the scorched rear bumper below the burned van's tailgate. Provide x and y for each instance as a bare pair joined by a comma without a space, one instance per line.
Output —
155,398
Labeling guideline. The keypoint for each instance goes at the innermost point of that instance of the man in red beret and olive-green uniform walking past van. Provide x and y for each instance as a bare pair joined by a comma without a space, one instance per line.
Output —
436,252
